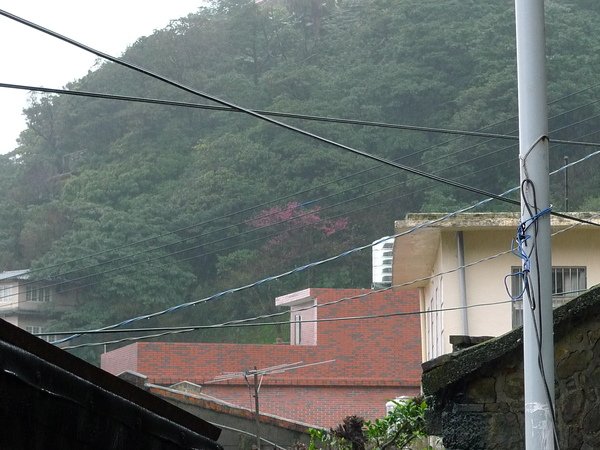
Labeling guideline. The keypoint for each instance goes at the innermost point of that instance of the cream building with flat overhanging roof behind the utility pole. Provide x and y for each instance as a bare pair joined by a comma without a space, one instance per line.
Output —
436,253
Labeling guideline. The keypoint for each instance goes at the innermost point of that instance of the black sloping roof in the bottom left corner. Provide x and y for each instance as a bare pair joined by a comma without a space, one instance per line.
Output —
51,399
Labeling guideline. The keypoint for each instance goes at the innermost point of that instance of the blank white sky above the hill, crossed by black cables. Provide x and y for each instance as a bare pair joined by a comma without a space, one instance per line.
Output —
30,57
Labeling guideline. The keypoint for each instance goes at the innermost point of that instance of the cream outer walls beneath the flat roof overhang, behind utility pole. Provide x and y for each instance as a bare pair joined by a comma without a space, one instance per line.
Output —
485,281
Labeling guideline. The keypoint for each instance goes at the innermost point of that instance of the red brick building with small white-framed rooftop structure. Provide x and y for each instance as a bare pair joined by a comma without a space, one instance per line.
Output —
376,359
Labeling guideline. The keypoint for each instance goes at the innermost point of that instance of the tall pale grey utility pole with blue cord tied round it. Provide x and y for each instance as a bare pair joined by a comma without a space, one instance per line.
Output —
538,342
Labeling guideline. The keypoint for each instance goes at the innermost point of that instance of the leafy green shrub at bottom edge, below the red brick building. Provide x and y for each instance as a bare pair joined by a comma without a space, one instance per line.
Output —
403,425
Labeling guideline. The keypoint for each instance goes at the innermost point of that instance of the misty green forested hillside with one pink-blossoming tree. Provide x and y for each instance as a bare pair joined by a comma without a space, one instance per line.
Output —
140,206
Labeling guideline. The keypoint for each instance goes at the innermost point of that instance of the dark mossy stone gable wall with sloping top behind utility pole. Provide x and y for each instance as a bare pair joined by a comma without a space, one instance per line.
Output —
476,395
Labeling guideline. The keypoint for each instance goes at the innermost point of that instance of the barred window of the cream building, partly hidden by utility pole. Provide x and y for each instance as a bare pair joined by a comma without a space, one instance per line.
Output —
567,283
